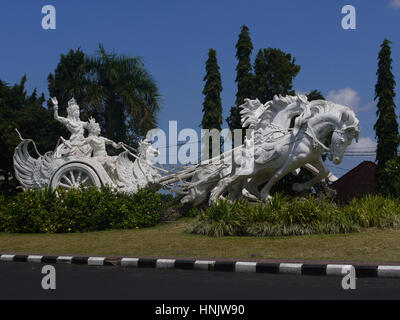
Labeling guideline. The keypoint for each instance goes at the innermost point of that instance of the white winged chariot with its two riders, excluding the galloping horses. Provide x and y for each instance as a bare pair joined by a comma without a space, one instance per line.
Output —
83,160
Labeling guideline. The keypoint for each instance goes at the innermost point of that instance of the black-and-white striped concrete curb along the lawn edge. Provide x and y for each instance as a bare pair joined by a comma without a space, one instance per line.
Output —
323,269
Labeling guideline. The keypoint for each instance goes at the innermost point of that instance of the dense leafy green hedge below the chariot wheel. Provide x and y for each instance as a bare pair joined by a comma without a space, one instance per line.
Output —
77,210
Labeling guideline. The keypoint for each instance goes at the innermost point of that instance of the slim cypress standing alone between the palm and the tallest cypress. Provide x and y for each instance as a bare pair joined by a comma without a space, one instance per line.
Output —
212,105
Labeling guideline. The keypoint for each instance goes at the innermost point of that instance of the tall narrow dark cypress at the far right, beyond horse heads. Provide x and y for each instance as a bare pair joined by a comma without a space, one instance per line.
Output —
386,127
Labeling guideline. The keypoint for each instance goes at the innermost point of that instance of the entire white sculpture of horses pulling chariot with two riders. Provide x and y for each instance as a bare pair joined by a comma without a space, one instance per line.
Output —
287,134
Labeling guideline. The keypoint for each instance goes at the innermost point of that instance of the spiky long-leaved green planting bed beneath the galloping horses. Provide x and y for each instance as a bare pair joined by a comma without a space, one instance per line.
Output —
286,216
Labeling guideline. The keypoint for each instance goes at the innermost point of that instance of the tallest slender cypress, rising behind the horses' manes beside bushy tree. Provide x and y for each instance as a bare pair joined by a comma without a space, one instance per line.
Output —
244,76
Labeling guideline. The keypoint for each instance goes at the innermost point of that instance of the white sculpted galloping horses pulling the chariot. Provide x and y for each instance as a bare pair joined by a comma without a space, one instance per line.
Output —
276,148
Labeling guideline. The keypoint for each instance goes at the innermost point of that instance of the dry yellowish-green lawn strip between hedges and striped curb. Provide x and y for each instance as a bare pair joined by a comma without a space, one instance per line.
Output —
172,240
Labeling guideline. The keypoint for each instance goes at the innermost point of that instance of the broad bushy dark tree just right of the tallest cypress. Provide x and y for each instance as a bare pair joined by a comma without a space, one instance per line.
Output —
274,73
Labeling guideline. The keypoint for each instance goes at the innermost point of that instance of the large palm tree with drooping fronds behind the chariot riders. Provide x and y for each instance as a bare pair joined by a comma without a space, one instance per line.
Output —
127,93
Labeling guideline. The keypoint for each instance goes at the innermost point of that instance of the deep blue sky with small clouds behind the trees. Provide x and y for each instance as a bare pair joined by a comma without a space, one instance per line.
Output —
173,37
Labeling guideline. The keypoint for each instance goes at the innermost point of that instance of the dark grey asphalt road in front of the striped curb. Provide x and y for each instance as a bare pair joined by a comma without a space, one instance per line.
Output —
23,281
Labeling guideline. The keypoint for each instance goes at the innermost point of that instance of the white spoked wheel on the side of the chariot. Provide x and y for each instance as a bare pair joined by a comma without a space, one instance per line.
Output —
74,175
